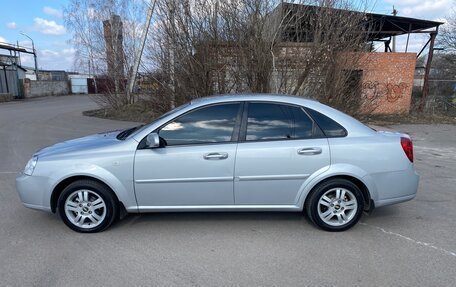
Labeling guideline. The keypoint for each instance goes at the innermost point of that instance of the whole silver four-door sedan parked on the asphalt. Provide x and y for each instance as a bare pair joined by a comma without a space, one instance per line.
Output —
226,153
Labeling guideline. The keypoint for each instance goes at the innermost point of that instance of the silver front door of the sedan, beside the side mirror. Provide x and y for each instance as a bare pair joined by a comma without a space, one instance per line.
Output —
195,166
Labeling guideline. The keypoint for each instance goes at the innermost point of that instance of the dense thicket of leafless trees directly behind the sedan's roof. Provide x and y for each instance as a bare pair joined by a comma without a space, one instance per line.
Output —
206,47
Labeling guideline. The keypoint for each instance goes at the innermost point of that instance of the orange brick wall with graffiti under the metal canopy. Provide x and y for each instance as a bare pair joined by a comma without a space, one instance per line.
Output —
388,78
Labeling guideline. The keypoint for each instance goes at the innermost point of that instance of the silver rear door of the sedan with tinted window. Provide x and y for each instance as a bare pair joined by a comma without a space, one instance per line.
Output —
280,147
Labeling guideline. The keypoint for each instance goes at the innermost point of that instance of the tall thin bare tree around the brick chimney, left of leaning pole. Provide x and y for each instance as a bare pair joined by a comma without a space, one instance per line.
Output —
89,21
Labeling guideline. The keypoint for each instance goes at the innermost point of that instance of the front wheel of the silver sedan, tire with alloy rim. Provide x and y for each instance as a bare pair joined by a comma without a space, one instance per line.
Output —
87,206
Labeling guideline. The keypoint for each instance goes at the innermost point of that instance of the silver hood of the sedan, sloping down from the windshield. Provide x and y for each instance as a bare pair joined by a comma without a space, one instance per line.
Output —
81,144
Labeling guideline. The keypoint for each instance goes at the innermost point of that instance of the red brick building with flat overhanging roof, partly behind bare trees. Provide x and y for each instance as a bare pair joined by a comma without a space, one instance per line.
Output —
386,78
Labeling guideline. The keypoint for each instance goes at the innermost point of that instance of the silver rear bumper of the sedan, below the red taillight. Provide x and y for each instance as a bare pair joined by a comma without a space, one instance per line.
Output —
396,187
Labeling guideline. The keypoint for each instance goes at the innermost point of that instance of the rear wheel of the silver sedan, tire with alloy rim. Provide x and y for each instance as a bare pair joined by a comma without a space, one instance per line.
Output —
335,205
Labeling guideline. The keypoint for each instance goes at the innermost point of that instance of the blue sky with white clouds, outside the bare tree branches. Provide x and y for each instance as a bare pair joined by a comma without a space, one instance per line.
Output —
42,21
